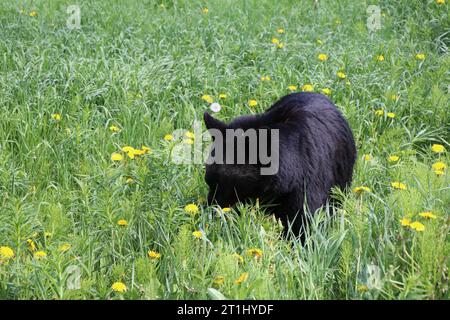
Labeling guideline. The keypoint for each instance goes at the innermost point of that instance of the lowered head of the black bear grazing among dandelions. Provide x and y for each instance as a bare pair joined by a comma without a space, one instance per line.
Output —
233,169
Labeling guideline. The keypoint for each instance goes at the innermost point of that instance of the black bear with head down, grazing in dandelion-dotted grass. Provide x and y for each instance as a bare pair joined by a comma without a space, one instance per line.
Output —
314,150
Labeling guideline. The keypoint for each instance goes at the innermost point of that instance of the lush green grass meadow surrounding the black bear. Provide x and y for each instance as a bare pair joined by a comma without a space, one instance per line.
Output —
144,68
